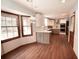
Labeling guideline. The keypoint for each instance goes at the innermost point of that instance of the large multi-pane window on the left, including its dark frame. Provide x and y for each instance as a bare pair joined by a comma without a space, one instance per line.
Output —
9,26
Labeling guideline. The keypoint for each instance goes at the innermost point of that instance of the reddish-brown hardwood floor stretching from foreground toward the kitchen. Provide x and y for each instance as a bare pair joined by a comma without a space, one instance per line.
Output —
57,49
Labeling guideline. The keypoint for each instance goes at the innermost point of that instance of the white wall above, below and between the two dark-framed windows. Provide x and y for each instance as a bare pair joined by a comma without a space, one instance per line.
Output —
10,6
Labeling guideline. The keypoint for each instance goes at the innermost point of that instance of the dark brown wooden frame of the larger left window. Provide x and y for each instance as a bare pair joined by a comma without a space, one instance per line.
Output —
18,27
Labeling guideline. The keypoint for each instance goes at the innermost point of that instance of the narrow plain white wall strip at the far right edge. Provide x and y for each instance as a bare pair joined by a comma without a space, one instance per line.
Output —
76,34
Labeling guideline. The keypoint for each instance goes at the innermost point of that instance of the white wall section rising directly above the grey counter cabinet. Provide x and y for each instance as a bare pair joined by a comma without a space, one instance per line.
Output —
40,23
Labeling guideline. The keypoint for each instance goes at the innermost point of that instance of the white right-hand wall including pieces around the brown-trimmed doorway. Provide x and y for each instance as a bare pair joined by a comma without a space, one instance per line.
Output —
76,29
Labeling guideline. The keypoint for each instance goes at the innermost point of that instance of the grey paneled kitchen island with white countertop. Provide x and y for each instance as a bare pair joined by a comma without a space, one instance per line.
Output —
43,36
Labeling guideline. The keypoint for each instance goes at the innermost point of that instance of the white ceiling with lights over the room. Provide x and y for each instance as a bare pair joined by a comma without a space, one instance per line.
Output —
50,8
